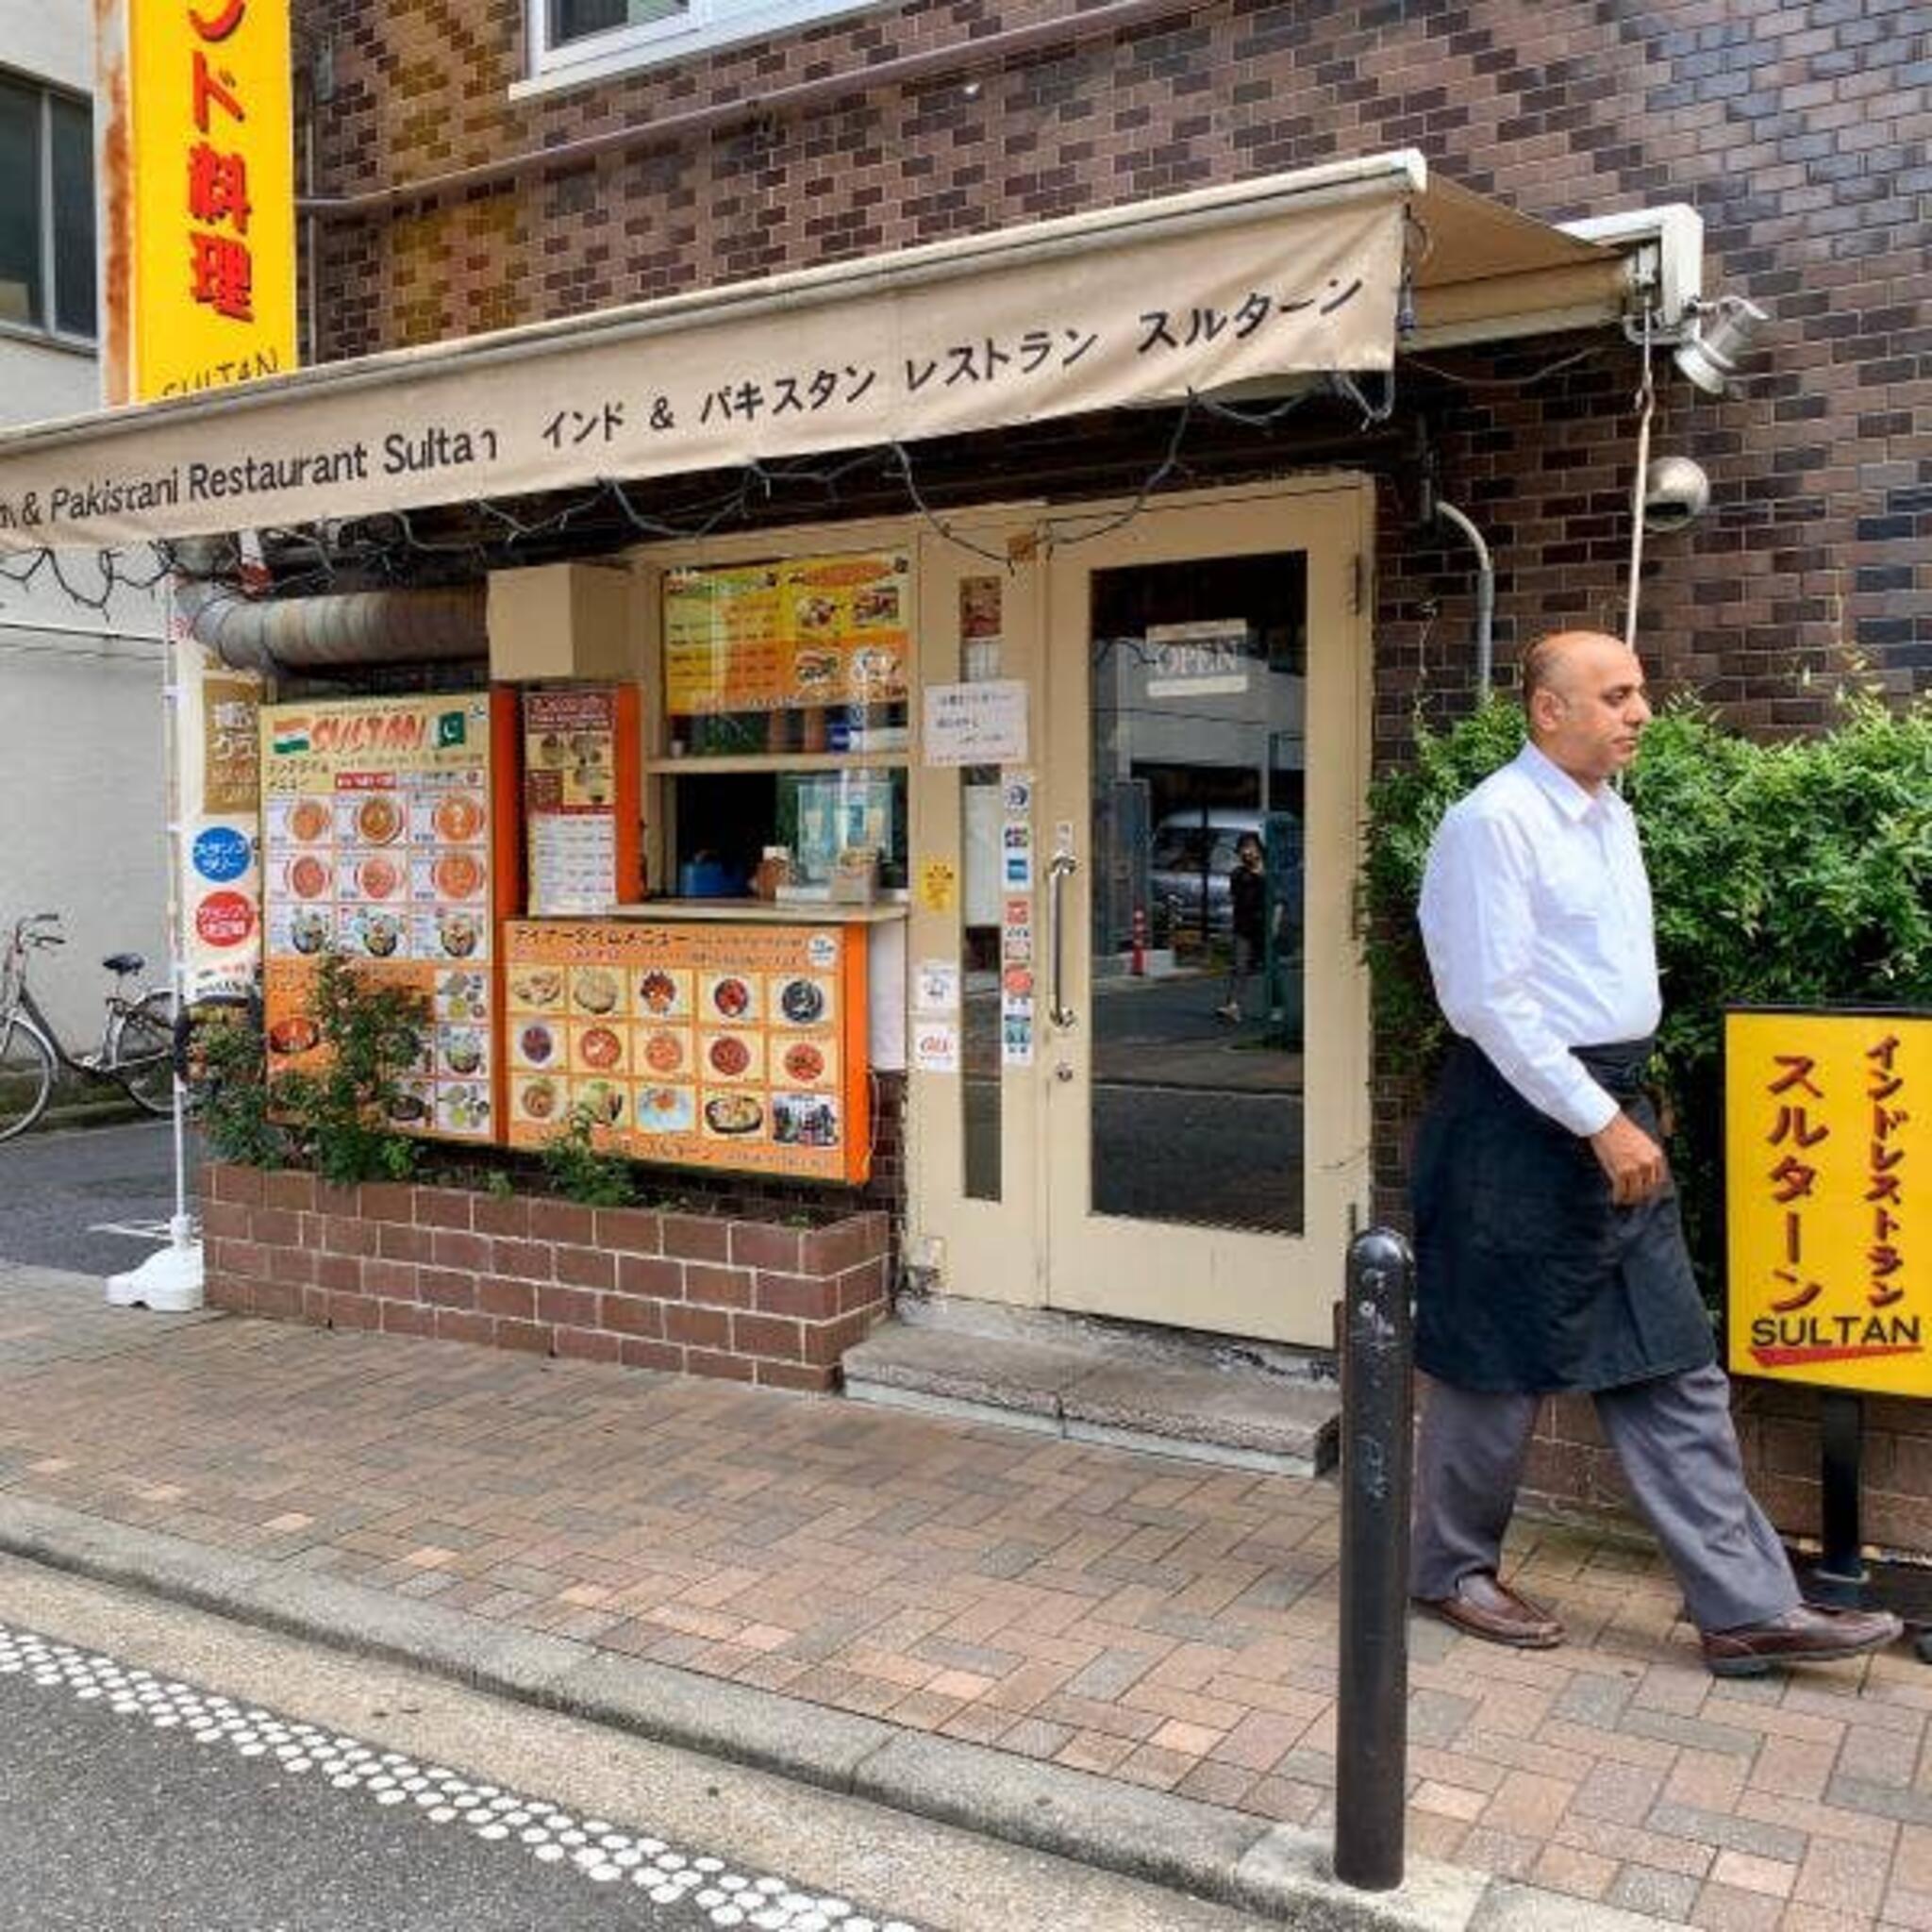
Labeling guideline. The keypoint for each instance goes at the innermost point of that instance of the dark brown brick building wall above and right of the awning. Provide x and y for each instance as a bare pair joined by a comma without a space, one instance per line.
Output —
1800,132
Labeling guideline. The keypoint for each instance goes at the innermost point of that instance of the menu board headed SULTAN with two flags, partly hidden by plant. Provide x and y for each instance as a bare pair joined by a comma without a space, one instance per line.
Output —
380,841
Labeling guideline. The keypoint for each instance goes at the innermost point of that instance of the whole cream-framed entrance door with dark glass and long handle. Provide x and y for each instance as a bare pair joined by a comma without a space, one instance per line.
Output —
1205,1037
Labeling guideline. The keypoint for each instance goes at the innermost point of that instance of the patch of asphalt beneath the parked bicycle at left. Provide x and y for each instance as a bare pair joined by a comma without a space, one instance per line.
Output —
92,1199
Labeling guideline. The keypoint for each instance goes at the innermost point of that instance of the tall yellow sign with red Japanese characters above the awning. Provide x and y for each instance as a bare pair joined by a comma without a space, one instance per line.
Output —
198,171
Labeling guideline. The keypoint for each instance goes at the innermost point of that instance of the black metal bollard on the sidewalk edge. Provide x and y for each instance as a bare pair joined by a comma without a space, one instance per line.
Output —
1377,1469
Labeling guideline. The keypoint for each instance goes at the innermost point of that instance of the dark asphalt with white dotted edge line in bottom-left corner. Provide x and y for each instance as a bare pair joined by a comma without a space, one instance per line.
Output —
140,1802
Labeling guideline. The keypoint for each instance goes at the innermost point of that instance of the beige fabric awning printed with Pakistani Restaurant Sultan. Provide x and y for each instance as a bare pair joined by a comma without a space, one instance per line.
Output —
1224,289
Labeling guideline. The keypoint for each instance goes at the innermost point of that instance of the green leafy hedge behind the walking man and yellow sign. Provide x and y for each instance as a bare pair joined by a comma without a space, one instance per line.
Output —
1790,874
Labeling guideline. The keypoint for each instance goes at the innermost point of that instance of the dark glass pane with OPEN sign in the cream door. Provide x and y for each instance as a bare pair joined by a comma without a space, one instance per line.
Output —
1199,675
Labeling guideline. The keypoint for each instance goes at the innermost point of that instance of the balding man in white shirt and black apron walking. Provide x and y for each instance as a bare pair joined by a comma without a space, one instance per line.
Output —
1548,1245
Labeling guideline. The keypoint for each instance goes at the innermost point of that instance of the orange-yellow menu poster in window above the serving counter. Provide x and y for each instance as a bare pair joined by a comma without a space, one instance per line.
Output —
793,635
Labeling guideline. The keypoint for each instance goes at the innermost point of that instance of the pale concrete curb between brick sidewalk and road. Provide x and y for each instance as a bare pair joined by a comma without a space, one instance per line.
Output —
1203,1850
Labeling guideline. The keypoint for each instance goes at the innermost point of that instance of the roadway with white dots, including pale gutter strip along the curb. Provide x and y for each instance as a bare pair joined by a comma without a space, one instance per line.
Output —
163,1771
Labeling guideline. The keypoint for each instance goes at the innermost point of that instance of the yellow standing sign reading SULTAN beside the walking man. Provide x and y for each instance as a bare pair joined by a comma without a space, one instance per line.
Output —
1829,1199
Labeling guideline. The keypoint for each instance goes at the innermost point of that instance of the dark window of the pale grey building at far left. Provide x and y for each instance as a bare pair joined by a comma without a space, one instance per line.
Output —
47,210
